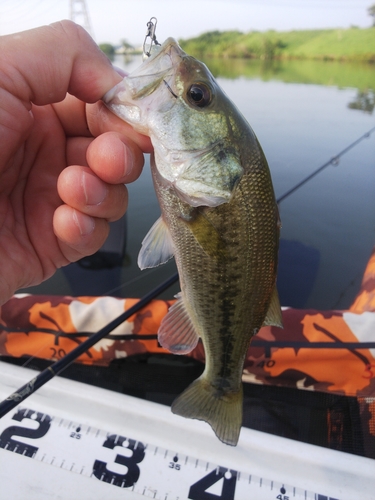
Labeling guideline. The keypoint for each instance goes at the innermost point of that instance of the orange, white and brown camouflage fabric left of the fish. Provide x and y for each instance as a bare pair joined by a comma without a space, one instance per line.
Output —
48,327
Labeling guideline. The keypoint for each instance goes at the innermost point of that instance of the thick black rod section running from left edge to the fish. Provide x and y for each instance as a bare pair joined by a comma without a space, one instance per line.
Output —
43,377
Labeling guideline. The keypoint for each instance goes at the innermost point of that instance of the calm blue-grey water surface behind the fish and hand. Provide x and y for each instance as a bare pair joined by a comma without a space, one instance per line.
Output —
303,113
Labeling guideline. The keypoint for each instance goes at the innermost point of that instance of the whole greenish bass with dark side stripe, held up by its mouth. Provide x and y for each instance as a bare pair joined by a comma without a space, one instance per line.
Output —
219,220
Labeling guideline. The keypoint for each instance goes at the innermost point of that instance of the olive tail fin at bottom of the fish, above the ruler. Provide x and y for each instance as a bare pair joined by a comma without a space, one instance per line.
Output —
223,411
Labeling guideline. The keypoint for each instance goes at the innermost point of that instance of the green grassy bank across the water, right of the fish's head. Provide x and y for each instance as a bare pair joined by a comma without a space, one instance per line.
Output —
353,44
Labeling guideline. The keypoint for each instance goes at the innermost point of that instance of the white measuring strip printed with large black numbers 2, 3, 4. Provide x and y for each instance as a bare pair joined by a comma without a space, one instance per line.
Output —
124,462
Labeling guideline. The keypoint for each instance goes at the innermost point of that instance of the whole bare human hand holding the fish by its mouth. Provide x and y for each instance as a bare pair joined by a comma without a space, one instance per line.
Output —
62,163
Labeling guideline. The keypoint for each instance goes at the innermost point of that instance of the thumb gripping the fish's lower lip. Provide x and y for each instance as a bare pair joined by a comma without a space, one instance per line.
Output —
43,64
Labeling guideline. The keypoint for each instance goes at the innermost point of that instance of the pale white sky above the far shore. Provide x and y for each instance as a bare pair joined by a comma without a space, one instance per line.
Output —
114,20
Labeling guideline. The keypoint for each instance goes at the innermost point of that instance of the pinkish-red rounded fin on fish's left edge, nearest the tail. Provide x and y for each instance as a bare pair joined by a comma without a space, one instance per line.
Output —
177,332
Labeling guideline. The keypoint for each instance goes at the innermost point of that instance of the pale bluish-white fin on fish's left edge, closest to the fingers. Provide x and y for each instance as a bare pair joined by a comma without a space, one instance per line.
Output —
157,246
